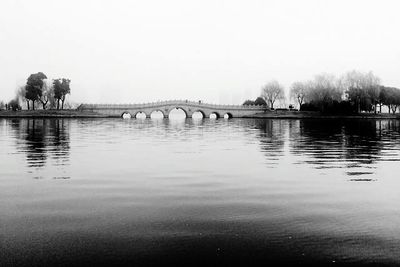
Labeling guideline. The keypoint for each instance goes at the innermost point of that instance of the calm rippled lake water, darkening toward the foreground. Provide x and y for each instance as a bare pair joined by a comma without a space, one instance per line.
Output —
199,192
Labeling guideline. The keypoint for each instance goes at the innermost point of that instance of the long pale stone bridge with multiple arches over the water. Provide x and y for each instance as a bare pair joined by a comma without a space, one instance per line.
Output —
189,107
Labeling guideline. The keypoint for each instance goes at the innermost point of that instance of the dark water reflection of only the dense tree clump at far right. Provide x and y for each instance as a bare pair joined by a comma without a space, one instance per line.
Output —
344,143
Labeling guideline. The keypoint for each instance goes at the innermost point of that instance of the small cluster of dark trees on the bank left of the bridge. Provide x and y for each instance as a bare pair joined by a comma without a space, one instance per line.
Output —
38,89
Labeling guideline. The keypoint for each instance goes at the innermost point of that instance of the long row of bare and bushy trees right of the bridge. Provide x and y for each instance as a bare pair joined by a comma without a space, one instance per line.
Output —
352,92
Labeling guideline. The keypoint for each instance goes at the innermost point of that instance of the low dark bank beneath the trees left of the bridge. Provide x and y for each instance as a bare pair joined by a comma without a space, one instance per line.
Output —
67,113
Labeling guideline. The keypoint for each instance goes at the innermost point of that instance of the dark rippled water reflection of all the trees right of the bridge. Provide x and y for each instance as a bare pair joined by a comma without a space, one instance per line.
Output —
353,145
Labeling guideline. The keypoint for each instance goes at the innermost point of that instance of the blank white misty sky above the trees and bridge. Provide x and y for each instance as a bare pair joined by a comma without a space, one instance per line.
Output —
119,51
